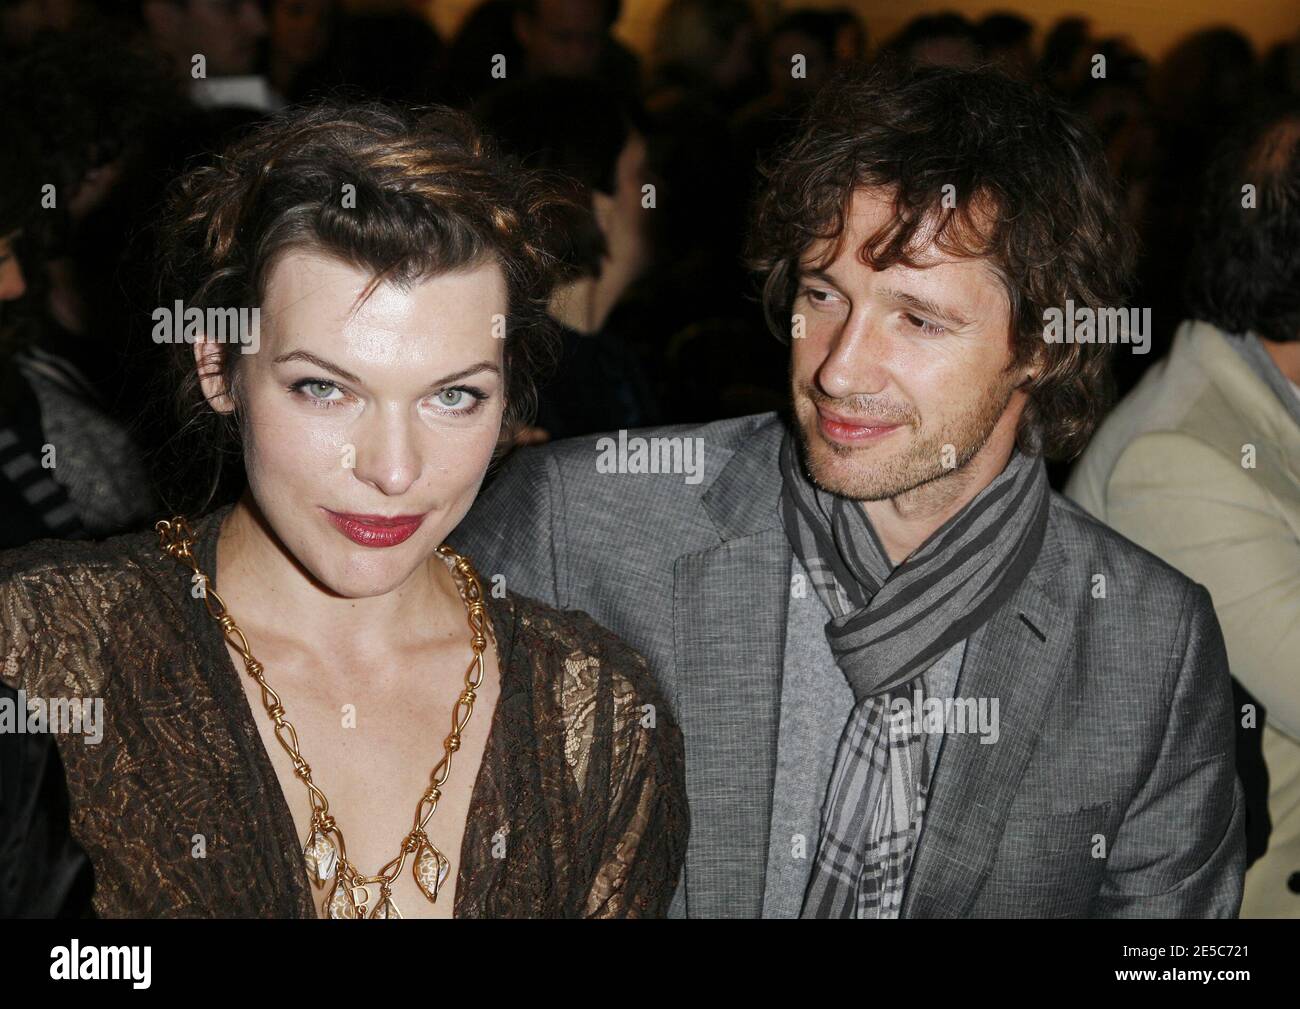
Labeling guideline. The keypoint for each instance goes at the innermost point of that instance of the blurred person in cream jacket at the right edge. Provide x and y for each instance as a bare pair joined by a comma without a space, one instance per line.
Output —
1202,462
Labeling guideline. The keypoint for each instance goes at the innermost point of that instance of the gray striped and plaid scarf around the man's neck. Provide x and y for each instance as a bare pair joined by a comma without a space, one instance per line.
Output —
889,626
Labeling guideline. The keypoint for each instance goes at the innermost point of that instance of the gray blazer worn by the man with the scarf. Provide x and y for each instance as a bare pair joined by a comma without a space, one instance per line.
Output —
1111,791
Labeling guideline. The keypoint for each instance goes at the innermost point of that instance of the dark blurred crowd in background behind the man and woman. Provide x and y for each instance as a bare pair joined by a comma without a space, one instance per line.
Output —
107,103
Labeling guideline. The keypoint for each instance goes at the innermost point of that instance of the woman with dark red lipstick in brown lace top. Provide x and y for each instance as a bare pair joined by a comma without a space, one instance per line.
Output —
353,308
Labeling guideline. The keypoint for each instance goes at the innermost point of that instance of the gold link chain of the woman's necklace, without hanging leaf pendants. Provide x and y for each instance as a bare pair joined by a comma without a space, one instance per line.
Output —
176,539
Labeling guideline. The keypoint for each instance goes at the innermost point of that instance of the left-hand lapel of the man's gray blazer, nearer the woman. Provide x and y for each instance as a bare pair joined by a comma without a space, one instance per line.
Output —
730,609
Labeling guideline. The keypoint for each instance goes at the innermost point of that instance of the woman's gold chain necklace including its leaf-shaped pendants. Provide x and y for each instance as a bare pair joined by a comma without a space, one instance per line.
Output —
327,860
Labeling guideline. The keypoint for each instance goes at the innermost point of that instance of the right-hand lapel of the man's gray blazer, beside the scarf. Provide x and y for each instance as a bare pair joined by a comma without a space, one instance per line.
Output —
1017,659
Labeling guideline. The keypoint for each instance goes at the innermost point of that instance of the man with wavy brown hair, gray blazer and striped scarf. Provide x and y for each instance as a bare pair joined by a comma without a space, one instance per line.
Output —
913,681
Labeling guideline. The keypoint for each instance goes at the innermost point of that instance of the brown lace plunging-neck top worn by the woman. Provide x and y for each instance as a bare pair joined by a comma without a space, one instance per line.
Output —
592,802
